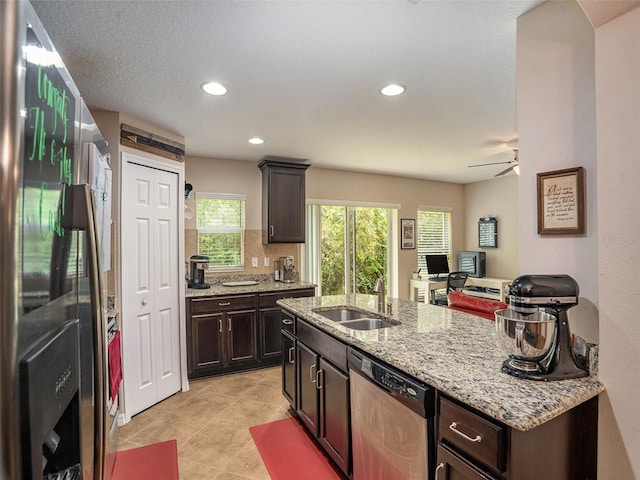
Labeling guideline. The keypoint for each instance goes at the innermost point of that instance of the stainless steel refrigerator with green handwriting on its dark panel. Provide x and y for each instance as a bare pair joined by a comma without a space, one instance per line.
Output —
57,405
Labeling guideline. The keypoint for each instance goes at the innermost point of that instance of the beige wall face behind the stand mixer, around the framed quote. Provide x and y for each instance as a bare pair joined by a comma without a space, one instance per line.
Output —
557,130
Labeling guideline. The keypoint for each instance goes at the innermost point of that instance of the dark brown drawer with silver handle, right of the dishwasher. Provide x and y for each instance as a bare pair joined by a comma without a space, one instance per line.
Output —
480,438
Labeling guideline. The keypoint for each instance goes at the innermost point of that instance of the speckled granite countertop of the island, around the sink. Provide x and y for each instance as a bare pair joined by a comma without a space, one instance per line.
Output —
456,353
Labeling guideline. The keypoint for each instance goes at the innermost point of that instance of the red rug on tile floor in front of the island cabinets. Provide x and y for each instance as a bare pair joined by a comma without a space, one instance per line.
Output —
289,452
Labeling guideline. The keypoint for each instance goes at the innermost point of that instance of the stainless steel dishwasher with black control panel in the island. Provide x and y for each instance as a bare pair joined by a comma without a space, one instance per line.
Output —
392,422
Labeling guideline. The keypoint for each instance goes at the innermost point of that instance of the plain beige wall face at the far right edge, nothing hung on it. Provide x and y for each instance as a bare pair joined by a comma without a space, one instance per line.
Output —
618,106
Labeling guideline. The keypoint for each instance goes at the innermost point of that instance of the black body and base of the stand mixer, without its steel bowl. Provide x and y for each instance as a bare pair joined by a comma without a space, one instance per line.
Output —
554,295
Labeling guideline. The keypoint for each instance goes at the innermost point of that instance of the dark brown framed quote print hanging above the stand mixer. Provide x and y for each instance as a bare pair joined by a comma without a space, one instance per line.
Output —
561,202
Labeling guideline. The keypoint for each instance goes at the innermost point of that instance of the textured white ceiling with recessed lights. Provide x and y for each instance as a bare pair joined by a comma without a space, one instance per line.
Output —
305,76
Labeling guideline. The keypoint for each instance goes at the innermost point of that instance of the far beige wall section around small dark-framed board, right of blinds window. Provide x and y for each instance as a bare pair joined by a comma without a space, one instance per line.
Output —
497,197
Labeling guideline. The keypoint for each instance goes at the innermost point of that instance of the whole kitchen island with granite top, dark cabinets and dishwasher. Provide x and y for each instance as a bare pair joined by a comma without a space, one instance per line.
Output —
481,423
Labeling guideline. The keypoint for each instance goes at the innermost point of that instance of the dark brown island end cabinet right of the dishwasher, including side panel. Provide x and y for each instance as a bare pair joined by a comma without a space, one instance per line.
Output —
473,446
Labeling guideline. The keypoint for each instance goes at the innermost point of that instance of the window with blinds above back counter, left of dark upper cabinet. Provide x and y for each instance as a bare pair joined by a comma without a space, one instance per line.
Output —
220,224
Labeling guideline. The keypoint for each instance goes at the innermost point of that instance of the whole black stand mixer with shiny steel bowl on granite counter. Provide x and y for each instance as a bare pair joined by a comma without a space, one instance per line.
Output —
535,330
